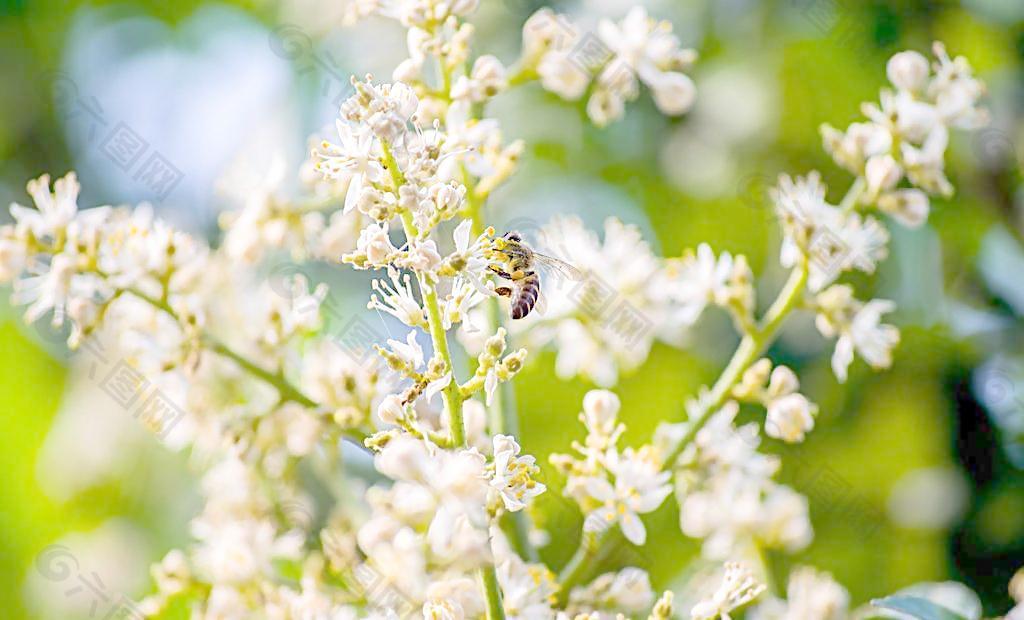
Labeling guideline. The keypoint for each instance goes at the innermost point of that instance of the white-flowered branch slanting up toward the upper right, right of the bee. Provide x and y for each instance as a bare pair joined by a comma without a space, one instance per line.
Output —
821,242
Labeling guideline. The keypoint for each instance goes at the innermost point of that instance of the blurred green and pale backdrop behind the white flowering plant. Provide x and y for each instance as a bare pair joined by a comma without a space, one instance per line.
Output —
938,435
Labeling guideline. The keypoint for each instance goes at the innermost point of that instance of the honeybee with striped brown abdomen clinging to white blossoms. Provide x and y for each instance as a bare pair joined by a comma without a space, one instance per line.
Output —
518,263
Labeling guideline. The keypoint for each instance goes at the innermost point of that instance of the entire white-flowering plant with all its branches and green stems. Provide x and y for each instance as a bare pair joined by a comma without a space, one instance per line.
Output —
419,151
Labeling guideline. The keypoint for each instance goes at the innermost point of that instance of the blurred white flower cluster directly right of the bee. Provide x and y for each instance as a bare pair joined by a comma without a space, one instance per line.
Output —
605,321
